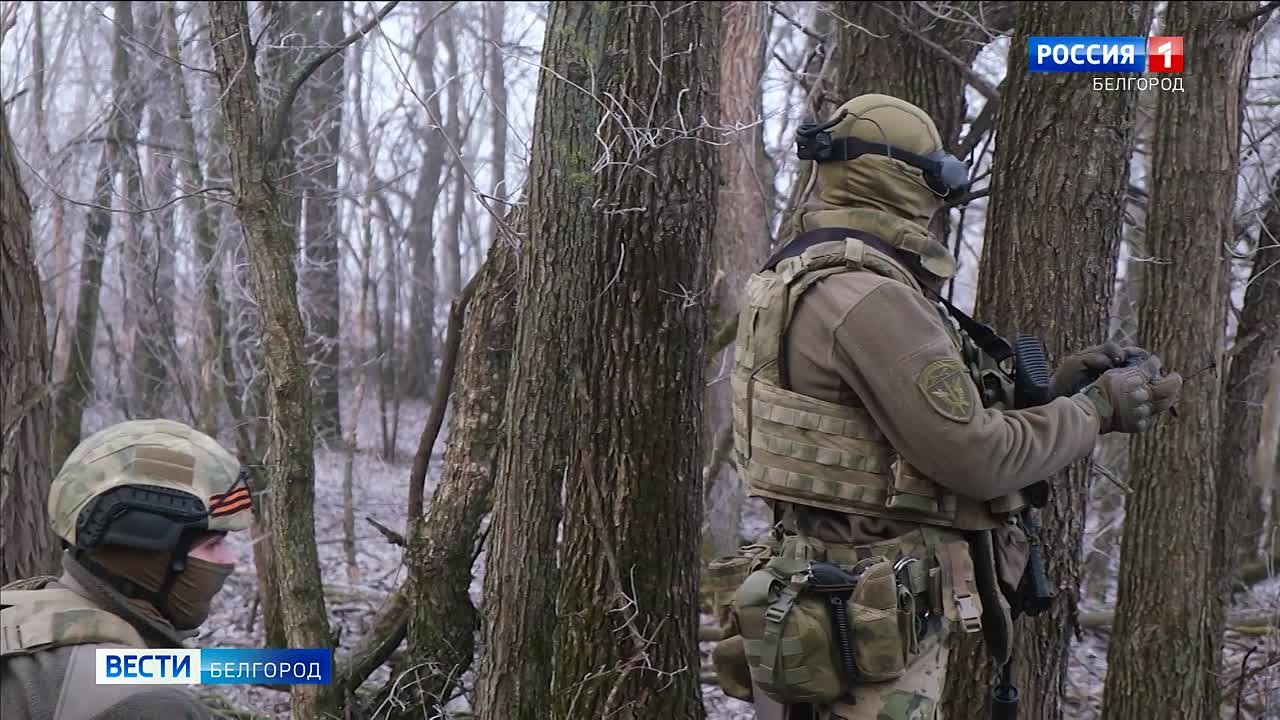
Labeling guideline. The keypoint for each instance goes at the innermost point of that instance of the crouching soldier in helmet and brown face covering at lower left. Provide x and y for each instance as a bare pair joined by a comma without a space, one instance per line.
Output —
143,509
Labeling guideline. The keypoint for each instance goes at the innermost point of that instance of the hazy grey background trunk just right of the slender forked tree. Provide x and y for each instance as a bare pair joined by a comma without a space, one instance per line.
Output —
322,116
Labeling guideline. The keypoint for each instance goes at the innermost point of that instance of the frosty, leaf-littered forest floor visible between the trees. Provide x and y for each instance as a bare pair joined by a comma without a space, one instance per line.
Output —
355,596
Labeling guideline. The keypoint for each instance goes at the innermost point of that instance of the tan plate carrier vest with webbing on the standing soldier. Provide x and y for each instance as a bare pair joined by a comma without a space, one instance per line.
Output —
799,449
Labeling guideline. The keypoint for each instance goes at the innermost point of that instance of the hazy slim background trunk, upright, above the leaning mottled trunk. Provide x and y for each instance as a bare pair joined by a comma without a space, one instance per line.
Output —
420,354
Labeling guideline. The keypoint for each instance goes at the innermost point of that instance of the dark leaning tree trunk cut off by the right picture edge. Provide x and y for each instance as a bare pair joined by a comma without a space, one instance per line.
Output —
1258,344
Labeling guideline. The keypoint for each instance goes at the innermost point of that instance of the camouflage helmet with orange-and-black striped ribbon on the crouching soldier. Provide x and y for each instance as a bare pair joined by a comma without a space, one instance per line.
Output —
148,485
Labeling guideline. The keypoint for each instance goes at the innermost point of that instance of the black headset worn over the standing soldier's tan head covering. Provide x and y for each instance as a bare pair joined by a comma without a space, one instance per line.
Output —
945,175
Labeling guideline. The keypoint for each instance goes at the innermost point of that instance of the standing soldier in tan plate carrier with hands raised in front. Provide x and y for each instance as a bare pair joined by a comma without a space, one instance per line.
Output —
885,440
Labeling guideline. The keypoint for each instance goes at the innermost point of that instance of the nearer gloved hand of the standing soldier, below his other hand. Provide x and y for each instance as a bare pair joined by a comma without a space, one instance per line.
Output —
1128,399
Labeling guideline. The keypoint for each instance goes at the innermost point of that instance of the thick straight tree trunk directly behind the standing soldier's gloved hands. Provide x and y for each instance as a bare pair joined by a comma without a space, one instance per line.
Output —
1169,622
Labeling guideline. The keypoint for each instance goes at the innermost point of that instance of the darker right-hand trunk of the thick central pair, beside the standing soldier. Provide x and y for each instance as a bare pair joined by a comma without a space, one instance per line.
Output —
628,608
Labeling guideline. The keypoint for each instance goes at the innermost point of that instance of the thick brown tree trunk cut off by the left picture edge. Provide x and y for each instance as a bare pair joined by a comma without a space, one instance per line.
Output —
26,544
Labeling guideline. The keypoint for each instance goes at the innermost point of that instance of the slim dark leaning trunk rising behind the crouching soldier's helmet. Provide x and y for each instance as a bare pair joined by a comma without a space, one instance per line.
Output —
77,386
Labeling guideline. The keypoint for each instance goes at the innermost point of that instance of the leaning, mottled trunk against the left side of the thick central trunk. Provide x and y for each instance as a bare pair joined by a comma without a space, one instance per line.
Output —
442,544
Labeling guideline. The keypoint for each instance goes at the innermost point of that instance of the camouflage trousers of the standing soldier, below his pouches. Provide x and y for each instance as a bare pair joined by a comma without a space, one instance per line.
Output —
915,696
